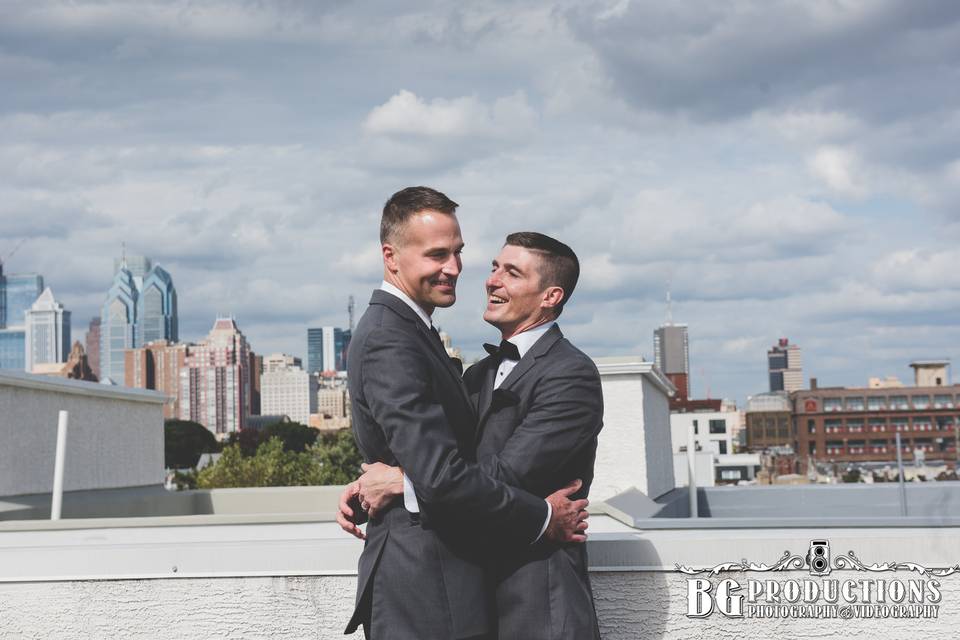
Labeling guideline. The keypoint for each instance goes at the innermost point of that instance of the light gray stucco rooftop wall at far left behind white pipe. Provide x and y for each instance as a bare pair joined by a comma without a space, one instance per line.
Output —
115,437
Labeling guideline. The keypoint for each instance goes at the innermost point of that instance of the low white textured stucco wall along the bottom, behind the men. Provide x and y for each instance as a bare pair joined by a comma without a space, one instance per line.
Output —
630,605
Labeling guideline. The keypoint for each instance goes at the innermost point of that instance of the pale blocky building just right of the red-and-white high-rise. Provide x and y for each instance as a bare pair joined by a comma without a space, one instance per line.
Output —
286,389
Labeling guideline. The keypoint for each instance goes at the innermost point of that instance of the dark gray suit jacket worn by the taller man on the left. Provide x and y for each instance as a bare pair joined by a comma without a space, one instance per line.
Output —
421,577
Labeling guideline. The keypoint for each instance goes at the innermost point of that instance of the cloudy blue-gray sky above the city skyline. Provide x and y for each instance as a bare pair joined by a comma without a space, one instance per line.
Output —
790,168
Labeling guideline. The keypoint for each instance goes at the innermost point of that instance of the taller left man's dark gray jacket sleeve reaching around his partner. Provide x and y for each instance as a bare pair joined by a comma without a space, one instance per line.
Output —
396,377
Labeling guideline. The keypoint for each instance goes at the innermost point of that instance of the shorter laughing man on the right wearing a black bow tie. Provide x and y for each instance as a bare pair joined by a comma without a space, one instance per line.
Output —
540,409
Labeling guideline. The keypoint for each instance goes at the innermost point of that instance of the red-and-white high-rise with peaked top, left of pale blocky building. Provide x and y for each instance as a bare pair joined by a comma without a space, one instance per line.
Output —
215,382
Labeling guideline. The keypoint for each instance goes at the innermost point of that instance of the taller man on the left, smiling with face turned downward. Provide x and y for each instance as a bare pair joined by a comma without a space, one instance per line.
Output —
419,575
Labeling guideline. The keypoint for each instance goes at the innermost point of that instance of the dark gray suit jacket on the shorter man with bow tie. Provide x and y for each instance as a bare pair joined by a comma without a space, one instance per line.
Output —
538,431
